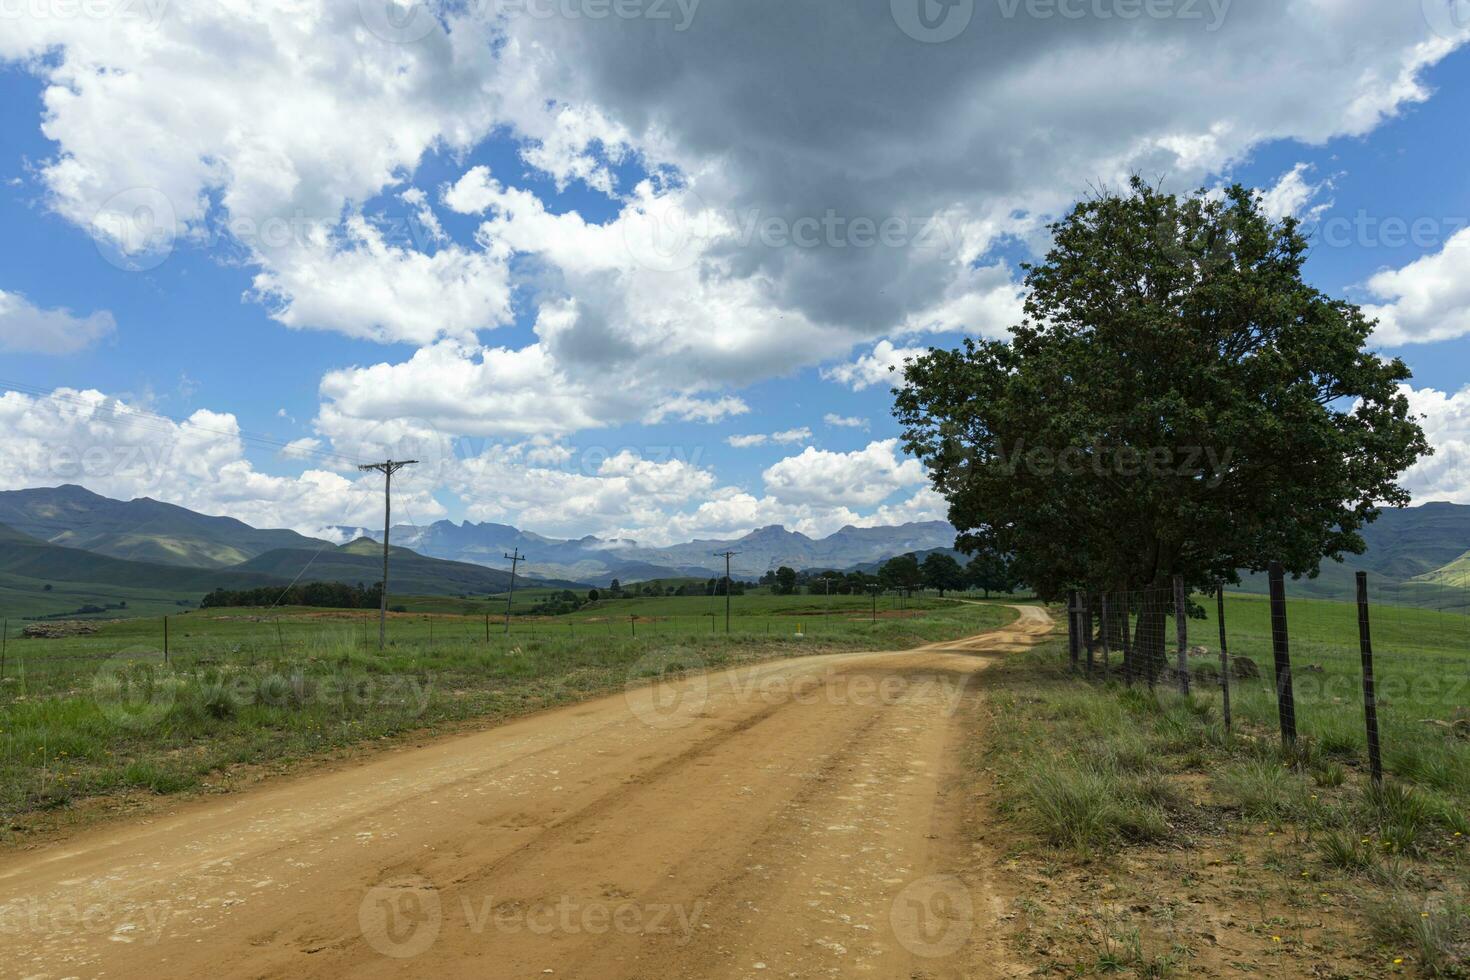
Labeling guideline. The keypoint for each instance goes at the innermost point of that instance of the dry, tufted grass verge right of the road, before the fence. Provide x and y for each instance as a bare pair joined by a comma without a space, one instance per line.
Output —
1146,840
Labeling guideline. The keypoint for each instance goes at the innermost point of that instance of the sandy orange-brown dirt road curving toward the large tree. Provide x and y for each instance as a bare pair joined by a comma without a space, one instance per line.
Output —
789,821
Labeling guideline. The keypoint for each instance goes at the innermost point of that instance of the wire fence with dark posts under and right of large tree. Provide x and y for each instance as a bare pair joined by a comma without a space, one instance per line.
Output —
1374,682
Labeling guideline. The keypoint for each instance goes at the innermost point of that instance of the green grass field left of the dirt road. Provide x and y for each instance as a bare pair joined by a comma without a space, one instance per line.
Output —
99,715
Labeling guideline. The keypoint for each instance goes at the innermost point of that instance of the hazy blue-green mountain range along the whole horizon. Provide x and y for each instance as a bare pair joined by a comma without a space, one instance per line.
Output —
65,549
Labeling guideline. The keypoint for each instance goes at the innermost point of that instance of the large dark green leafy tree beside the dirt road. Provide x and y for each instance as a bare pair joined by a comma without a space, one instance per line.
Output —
1175,402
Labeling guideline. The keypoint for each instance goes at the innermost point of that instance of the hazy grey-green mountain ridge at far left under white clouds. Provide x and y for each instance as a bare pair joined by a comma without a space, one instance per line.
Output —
139,531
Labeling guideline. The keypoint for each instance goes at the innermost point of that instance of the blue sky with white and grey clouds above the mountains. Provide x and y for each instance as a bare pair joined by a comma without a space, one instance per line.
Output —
467,273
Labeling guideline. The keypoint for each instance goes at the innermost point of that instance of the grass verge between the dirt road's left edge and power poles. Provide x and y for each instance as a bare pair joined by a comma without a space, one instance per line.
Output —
95,728
